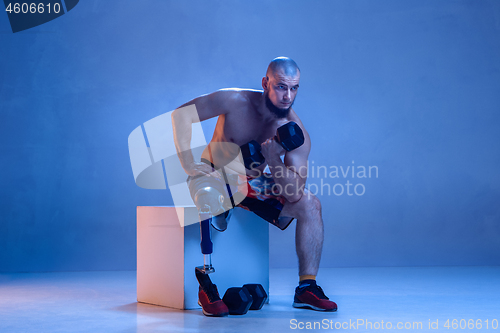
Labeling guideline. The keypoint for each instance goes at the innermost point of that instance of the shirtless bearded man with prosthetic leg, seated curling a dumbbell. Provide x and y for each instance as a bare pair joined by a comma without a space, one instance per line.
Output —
246,115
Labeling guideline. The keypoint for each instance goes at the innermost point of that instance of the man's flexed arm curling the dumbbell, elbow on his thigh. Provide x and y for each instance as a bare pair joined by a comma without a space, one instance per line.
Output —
291,174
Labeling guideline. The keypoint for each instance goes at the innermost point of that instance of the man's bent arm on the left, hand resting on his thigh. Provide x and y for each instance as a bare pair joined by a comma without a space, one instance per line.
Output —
206,107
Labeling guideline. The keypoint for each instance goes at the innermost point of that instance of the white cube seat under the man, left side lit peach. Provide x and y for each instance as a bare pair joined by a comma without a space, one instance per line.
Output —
168,253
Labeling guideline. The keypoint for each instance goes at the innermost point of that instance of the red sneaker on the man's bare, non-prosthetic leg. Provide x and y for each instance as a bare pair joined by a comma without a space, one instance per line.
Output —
310,295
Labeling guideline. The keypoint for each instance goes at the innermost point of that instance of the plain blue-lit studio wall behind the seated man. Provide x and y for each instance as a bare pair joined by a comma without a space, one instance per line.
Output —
411,87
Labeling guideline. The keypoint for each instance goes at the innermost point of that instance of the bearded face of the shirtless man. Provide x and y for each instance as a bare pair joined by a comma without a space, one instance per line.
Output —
280,91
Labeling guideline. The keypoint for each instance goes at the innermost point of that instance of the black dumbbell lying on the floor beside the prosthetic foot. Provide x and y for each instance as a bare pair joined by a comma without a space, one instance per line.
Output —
249,297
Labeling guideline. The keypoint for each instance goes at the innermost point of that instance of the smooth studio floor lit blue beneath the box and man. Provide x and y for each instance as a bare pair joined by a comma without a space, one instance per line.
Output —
370,300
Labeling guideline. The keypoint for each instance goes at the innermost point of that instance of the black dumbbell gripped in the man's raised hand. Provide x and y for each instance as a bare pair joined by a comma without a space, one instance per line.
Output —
289,136
